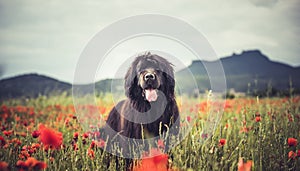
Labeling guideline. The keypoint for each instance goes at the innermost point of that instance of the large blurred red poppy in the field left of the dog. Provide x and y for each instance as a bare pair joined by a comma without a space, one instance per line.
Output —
49,137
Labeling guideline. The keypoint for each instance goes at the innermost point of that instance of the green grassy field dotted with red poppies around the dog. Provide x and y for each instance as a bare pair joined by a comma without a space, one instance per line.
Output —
253,134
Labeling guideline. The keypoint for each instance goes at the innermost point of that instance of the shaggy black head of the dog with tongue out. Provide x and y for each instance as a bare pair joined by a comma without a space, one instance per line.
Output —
148,74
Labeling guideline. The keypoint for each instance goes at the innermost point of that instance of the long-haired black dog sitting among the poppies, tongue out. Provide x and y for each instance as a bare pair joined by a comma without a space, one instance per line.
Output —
150,109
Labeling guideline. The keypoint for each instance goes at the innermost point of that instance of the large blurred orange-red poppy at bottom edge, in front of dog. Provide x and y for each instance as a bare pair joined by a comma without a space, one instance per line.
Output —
158,162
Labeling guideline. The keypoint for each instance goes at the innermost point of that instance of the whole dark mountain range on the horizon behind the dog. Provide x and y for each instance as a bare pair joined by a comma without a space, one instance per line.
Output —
249,71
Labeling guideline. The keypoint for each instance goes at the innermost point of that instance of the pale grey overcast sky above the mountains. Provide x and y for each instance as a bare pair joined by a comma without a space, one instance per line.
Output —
48,37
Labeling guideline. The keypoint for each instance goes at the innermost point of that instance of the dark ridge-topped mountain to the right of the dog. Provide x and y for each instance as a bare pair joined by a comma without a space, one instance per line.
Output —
250,70
